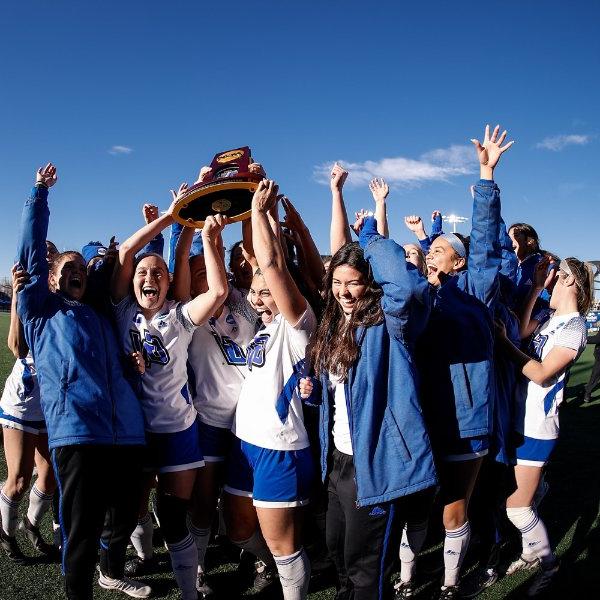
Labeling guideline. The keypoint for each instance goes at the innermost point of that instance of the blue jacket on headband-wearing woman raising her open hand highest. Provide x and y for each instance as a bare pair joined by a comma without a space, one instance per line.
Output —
456,351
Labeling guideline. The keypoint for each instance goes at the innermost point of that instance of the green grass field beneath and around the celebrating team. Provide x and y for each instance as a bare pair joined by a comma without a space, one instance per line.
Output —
570,510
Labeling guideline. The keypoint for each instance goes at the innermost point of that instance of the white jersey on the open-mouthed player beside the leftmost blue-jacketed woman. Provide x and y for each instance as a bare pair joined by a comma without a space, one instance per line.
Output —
164,342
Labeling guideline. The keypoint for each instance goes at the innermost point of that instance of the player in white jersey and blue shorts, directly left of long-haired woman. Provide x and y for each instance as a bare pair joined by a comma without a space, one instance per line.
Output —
270,471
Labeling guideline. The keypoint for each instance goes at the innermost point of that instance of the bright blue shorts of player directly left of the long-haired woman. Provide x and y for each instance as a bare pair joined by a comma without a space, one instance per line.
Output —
272,478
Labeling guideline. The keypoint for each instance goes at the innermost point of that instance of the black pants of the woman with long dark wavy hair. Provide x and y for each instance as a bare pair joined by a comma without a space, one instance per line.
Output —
364,542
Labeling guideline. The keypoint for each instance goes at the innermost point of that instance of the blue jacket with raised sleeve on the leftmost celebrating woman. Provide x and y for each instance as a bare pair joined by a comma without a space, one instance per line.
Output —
84,396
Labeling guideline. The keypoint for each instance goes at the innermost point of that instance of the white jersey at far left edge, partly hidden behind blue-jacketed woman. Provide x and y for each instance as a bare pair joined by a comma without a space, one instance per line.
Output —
21,395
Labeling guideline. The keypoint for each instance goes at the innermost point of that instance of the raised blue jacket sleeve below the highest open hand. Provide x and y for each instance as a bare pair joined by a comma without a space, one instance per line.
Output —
485,255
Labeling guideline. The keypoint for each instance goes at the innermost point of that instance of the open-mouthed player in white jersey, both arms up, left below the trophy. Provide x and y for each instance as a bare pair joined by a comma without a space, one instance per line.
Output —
162,329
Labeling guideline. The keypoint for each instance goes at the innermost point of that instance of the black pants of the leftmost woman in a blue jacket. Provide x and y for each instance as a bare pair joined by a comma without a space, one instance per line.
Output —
100,489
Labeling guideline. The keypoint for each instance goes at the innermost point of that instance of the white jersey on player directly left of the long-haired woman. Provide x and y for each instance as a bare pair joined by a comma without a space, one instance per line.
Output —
269,411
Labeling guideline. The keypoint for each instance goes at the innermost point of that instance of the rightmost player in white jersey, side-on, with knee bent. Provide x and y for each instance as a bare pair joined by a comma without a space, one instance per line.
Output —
554,347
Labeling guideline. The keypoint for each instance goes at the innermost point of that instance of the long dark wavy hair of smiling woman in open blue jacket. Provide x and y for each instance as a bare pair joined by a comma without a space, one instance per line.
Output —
335,348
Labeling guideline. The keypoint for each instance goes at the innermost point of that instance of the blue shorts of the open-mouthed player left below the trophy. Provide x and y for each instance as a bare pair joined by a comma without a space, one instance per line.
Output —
170,452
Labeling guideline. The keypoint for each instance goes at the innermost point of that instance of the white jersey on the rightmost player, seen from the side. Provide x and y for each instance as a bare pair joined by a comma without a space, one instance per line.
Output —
537,412
